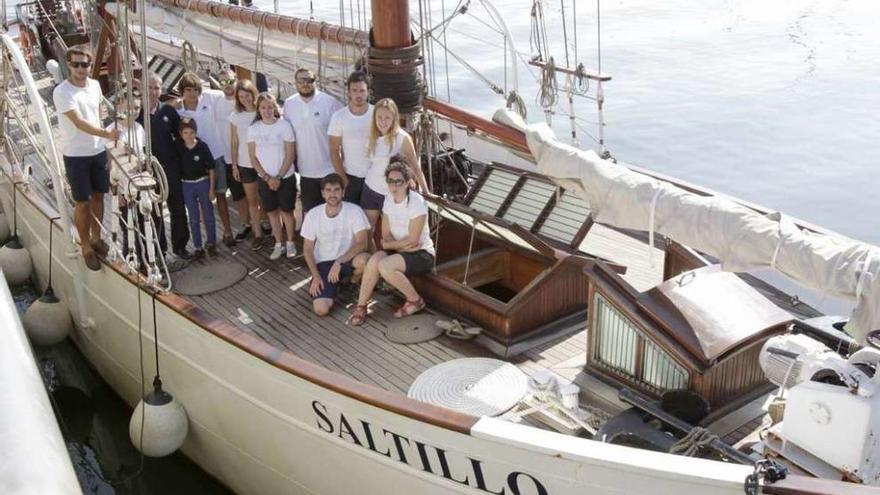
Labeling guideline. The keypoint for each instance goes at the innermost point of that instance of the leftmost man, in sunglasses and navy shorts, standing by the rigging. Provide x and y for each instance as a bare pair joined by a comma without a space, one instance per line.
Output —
78,103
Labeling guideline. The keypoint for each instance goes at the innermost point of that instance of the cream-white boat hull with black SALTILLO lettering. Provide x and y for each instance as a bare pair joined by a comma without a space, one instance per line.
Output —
282,425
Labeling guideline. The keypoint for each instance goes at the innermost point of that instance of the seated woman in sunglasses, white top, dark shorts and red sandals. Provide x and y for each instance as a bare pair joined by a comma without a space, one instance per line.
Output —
407,249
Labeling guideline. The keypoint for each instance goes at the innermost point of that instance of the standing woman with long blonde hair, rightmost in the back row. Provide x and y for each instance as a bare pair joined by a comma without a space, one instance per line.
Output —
386,139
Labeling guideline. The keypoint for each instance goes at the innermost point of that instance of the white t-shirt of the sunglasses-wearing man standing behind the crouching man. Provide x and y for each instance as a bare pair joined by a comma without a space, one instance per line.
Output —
310,121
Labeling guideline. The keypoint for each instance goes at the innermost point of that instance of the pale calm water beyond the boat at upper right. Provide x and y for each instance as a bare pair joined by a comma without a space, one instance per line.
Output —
773,102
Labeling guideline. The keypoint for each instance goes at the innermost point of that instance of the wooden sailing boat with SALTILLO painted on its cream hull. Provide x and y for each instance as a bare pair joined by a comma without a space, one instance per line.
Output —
594,368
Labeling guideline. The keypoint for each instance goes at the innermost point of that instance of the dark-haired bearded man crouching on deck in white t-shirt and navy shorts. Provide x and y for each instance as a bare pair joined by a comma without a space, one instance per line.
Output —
334,243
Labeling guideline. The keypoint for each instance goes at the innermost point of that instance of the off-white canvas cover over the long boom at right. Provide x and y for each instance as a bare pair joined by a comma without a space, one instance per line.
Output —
741,238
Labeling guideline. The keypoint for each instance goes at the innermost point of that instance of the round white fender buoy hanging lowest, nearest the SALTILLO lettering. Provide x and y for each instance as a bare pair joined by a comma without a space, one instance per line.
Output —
165,424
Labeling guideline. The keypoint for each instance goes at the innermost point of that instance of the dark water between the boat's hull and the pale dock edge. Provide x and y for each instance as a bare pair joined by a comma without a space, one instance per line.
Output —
94,422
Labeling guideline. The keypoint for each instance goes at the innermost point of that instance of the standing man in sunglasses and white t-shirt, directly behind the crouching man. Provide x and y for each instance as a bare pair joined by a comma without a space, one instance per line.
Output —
309,113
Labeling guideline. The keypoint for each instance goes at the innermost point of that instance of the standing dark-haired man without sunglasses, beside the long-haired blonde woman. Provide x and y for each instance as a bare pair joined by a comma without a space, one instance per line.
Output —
349,132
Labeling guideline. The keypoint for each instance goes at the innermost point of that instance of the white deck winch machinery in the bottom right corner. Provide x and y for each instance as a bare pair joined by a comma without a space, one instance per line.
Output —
832,410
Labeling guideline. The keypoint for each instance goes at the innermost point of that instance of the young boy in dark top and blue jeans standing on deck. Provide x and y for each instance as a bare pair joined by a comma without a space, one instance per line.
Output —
197,176
